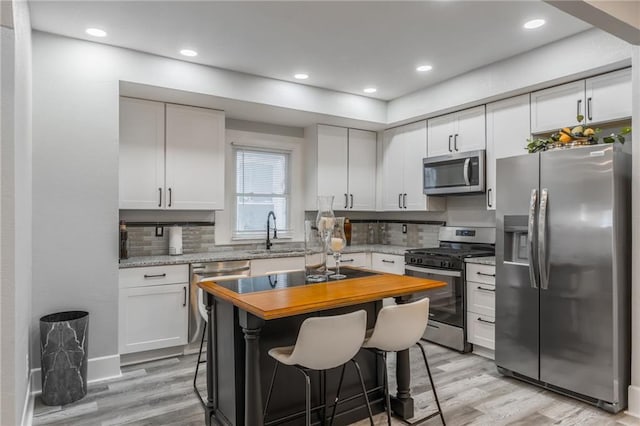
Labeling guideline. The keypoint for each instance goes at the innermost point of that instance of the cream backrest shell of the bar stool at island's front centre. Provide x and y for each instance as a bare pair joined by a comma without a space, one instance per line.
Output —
328,342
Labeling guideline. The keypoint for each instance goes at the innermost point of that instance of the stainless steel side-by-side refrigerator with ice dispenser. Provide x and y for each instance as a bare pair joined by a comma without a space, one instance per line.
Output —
563,272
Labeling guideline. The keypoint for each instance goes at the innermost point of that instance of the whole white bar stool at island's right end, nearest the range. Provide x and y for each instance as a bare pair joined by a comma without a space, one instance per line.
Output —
398,328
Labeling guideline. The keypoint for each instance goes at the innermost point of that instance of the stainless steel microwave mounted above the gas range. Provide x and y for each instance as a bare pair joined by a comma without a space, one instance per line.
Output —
458,173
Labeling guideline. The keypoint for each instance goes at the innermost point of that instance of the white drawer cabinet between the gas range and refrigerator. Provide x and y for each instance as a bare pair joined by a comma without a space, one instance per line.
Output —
481,308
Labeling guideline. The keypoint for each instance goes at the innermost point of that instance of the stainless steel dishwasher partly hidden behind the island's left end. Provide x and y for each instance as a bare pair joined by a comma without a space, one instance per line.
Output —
209,271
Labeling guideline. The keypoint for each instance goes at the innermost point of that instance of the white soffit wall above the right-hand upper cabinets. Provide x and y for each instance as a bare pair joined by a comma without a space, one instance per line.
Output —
567,59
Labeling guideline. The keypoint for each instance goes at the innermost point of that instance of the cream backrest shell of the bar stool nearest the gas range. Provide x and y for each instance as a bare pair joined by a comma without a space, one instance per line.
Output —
399,327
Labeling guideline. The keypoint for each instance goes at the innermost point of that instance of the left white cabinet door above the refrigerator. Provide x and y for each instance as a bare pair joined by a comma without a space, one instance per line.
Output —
557,107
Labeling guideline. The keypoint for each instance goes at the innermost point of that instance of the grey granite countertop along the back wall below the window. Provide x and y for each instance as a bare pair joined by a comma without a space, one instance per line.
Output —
229,254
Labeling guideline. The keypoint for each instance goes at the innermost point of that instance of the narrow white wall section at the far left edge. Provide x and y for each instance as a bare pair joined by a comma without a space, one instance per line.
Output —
15,213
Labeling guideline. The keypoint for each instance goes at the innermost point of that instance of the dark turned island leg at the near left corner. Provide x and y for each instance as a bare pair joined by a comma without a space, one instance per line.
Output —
251,327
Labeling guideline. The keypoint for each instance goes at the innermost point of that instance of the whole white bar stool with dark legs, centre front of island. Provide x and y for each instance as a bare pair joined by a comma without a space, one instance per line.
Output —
323,343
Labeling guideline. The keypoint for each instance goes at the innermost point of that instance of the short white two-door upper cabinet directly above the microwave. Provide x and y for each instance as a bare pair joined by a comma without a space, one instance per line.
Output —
460,131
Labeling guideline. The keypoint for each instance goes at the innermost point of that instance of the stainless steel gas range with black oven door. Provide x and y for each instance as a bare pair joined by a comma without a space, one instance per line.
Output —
447,321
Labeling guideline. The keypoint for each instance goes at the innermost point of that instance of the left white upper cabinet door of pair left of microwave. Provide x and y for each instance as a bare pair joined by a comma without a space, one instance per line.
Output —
392,164
